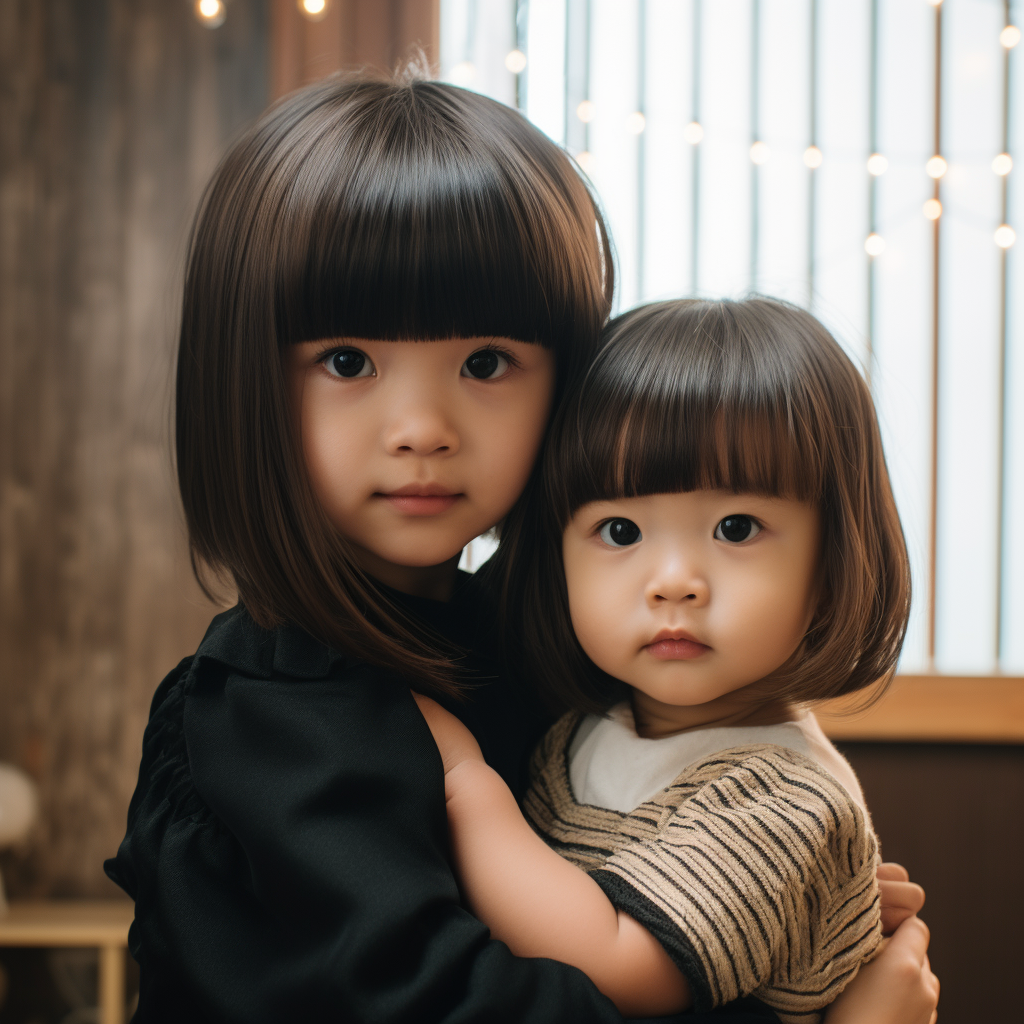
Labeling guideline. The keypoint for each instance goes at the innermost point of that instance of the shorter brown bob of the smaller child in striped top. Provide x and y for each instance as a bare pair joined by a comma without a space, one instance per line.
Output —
752,397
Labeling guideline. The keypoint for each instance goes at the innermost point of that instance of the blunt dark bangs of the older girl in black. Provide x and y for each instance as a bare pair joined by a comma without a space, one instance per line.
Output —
412,218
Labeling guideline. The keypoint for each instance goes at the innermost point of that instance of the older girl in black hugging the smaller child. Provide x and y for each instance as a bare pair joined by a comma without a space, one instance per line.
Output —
389,285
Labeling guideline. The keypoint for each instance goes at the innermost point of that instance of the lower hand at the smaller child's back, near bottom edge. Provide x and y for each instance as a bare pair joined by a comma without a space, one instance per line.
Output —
897,988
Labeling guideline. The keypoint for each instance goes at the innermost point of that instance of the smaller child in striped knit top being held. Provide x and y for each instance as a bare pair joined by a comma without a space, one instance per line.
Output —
713,546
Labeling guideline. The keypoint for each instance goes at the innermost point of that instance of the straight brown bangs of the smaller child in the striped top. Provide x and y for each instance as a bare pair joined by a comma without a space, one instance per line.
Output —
693,396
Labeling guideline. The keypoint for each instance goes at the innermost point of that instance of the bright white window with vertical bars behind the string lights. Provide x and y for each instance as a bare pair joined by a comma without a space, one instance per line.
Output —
857,158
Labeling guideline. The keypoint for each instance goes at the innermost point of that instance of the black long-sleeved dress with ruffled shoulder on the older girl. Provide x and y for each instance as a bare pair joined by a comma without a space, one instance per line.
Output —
287,845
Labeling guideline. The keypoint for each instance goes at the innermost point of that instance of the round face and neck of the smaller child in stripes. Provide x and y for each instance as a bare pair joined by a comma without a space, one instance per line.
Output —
692,599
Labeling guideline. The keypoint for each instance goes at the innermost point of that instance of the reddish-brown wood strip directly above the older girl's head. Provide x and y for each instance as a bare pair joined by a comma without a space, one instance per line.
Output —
353,34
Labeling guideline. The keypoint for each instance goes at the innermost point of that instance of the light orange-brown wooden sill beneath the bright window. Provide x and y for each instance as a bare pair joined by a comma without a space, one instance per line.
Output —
934,709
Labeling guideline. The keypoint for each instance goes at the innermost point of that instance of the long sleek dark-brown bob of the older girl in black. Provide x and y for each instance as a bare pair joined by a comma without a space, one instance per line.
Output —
385,209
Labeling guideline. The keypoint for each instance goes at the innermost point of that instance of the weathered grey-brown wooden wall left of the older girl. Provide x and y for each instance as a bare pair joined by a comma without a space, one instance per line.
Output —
113,114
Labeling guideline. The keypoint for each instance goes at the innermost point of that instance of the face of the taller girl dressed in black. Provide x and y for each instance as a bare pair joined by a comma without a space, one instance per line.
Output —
415,448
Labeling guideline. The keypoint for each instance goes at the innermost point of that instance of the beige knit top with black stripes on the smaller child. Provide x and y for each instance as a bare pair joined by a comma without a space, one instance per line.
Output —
754,869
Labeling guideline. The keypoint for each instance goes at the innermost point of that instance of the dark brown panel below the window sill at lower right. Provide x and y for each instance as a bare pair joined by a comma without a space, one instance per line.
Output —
953,816
